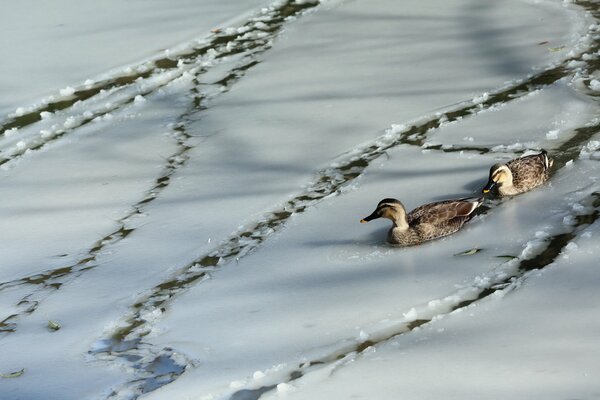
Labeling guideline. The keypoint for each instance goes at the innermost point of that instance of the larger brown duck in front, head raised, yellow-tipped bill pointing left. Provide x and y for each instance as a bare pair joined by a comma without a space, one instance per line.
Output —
426,222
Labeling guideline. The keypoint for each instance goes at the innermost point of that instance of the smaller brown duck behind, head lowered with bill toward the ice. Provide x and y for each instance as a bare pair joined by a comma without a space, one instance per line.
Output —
520,174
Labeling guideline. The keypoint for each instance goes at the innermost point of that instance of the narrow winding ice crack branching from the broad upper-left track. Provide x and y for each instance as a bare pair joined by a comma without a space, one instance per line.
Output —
49,281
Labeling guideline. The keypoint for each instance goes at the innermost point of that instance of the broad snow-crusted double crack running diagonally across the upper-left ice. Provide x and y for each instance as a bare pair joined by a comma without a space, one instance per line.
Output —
249,37
